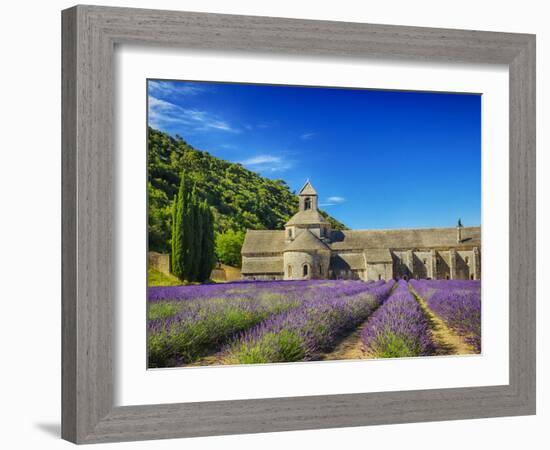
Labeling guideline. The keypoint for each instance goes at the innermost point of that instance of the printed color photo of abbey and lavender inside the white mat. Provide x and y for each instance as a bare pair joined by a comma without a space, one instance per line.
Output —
294,224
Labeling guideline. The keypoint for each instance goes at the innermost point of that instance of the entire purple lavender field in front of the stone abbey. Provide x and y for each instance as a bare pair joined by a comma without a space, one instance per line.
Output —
288,321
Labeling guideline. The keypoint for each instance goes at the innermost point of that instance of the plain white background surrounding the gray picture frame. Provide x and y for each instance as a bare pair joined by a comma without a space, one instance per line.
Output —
30,221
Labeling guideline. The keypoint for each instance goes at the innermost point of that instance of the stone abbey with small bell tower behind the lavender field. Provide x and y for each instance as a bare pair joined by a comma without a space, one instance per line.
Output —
309,249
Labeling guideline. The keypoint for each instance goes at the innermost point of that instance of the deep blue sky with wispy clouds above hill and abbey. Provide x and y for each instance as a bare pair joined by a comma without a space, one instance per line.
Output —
378,159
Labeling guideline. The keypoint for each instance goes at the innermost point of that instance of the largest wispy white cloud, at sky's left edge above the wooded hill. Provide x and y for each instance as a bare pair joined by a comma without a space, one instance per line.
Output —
163,113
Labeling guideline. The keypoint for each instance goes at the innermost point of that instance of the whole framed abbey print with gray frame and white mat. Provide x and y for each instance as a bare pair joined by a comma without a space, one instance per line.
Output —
268,222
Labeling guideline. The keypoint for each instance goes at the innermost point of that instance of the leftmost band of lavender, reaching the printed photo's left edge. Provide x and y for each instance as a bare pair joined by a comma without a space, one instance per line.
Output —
189,322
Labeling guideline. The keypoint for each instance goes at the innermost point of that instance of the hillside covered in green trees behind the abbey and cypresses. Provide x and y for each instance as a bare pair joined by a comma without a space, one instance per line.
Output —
239,199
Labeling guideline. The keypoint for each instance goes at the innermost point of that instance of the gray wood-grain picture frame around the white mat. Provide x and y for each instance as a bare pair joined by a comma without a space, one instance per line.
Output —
90,34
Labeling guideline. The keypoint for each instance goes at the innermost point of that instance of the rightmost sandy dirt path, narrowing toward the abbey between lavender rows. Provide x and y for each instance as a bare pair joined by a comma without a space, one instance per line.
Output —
447,342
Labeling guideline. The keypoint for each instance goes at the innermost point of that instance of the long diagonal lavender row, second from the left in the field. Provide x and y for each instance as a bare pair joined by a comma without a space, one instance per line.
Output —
304,333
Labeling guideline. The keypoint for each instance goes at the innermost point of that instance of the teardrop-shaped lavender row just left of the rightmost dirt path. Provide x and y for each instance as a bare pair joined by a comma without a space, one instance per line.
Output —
399,328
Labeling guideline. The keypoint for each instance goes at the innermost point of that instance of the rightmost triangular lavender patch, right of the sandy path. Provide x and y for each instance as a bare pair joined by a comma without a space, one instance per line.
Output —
458,303
